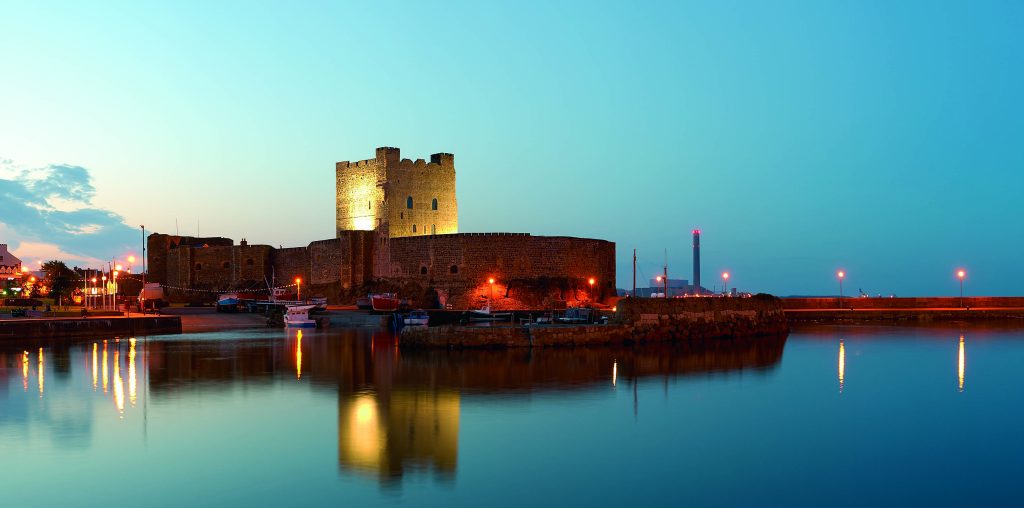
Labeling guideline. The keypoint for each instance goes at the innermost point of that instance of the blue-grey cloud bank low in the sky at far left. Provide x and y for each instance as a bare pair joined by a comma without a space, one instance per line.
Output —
53,206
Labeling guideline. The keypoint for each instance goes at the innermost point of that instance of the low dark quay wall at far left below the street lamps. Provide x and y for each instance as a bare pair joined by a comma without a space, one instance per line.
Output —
89,327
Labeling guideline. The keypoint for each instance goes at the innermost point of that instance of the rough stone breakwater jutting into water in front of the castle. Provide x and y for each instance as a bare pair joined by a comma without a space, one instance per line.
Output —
636,321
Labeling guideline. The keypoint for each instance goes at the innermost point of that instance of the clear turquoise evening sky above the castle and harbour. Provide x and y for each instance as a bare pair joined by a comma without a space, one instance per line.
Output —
802,138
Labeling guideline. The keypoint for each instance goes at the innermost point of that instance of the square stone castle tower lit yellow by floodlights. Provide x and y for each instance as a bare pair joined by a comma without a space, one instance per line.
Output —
398,197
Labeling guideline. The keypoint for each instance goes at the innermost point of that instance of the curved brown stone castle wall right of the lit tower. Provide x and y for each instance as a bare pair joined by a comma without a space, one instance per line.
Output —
529,272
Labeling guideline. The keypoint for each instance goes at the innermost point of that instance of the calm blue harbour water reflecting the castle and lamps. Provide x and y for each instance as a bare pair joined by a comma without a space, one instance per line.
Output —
831,416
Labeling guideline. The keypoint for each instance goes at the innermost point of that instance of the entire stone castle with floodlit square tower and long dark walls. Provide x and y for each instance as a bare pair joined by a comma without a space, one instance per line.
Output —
397,230
